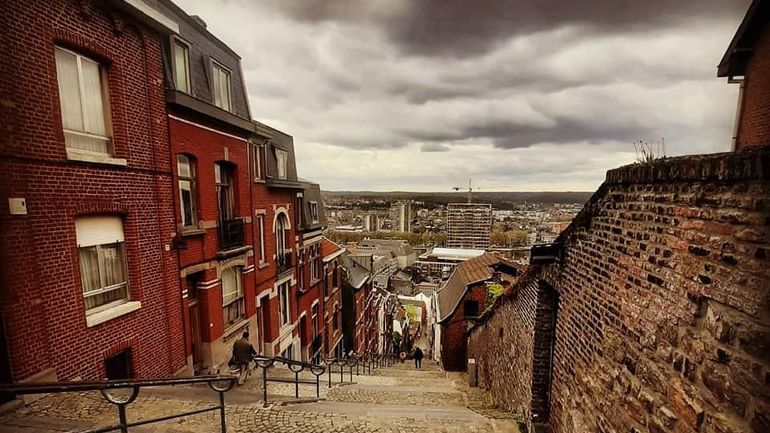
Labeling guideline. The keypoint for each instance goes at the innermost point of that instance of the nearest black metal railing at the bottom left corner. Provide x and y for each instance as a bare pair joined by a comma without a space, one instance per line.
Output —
220,384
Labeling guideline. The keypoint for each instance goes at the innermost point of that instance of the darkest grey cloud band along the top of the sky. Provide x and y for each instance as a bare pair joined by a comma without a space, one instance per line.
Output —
461,28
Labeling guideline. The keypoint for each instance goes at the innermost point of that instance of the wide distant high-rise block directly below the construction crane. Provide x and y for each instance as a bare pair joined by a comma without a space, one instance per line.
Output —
468,225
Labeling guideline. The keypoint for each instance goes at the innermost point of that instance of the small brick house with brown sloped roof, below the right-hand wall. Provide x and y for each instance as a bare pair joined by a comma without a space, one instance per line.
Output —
463,299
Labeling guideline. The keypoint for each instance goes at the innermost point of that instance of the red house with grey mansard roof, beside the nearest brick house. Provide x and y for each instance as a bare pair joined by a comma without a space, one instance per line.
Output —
211,134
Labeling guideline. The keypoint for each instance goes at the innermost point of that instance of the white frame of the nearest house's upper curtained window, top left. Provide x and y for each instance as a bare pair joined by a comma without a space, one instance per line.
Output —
105,107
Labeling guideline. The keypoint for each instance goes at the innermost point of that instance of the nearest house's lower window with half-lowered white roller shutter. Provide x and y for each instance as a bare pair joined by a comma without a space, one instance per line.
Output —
102,260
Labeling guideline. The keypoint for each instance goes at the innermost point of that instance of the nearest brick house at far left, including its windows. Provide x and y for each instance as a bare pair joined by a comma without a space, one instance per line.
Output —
87,212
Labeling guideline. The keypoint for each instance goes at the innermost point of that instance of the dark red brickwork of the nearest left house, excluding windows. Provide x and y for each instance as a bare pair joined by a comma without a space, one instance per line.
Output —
42,301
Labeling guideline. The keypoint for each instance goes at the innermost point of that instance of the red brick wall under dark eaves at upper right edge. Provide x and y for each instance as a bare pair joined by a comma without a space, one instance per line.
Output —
754,127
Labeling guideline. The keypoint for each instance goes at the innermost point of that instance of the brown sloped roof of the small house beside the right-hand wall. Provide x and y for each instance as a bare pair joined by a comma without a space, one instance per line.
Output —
465,274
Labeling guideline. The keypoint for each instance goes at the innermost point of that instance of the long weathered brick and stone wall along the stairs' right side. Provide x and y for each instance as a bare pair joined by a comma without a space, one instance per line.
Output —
664,305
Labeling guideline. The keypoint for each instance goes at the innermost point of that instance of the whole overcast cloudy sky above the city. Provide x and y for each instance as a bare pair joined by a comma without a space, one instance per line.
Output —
524,95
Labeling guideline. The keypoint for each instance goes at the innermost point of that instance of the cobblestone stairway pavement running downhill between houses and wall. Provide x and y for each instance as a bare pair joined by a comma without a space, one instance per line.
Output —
396,399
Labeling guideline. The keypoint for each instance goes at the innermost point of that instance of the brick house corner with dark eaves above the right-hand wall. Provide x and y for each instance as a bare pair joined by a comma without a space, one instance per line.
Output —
747,62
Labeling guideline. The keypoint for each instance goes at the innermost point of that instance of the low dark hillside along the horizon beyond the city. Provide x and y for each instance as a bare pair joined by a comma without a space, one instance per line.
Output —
499,199
